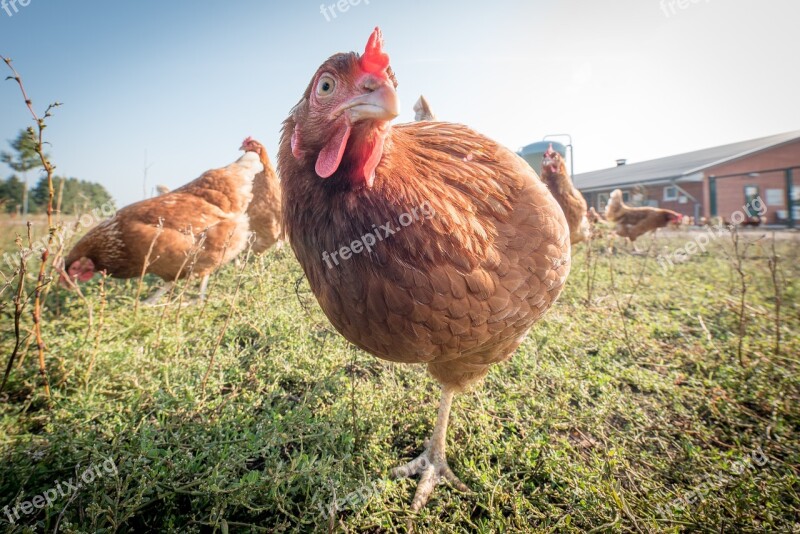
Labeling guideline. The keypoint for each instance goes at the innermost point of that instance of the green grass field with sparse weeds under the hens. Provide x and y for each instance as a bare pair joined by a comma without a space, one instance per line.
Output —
586,428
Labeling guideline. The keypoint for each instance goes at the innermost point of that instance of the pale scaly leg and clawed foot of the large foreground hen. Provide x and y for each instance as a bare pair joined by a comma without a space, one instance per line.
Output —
432,464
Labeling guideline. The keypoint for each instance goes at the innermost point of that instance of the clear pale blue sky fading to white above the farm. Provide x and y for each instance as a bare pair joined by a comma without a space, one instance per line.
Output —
187,81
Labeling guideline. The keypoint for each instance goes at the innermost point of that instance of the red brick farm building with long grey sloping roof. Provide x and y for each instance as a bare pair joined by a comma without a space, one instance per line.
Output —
715,182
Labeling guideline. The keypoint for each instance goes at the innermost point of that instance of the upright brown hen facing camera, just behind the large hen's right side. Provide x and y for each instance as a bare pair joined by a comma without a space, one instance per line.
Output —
556,176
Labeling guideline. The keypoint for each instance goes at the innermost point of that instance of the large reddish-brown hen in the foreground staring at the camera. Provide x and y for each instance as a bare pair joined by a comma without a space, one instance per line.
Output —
424,243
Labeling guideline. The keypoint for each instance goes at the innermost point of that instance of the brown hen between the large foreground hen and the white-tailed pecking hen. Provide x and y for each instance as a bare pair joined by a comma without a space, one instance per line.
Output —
265,209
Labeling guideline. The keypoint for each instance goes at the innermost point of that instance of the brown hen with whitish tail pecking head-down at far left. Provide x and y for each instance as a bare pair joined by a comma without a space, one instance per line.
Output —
192,230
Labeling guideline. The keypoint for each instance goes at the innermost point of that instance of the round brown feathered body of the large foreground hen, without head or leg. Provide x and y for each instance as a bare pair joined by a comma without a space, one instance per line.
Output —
466,283
